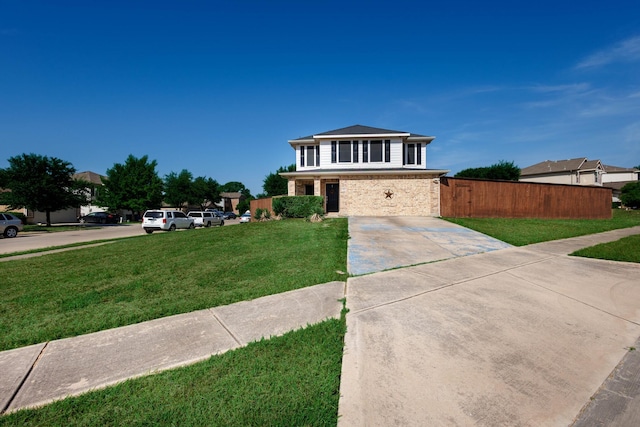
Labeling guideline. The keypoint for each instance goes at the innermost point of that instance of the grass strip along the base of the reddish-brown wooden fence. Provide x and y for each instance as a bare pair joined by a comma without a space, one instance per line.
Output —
523,231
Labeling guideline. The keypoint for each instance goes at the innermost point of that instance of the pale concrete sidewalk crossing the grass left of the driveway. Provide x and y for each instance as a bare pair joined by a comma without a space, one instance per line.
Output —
38,374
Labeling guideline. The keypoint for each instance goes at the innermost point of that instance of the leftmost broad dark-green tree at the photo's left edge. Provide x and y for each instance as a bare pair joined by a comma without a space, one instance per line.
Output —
41,183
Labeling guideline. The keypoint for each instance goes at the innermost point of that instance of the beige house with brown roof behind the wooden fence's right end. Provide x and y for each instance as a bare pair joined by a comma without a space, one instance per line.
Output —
580,171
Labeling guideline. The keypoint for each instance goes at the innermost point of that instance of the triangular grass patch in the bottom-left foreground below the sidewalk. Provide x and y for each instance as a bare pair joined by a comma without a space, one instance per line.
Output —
289,380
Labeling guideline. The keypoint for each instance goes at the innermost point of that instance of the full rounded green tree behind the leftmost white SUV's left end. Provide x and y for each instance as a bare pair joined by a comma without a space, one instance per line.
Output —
134,185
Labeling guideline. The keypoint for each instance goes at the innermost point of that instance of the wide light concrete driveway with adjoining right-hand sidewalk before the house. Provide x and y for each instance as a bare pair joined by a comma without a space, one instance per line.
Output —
516,336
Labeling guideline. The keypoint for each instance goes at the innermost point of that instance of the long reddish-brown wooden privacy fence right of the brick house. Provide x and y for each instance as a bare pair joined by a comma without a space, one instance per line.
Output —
507,199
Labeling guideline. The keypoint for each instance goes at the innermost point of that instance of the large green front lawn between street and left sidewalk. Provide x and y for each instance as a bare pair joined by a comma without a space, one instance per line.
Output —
147,277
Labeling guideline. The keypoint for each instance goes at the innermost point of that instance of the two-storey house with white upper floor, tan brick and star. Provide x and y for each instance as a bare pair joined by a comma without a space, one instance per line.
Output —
361,171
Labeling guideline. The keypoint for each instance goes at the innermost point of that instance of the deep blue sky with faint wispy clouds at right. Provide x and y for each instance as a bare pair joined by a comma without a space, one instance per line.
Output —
219,87
